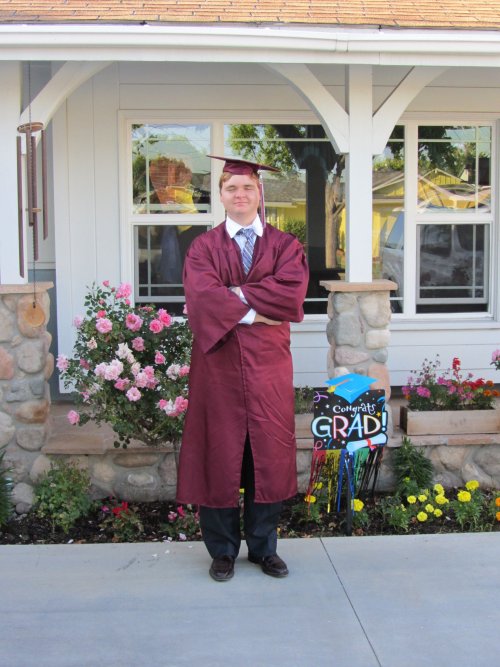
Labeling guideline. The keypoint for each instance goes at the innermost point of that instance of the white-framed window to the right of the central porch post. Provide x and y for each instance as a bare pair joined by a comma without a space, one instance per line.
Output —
447,225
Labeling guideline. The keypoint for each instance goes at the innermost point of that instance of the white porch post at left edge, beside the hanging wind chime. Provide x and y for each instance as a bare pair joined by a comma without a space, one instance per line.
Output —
10,108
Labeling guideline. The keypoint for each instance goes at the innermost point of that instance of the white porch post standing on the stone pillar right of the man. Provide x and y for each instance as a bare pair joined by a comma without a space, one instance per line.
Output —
359,175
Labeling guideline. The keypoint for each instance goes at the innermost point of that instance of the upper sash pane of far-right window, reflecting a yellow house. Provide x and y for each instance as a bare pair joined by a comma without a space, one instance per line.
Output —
454,168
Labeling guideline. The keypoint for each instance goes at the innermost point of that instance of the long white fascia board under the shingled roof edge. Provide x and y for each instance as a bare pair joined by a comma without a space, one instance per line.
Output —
249,44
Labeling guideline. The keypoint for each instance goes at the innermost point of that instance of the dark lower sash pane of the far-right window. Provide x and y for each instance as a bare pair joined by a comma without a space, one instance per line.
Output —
452,267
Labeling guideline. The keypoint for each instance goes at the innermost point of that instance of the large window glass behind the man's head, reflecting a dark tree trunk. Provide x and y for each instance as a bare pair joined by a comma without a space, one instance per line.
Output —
305,198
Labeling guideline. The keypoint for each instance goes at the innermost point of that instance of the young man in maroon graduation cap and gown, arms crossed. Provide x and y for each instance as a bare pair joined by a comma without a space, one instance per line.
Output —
241,296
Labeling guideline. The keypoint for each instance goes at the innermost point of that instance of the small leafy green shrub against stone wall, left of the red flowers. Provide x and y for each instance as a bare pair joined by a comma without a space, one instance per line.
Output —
63,495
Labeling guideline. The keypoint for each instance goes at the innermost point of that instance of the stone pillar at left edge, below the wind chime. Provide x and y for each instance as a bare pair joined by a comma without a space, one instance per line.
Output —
25,367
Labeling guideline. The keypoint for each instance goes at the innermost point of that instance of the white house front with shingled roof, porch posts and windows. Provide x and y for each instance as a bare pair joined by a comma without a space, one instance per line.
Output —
384,118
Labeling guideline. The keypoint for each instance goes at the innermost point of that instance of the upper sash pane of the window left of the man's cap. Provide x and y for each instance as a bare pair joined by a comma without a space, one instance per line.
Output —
170,169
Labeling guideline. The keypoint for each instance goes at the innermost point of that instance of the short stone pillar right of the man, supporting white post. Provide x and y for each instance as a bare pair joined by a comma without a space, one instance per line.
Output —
358,329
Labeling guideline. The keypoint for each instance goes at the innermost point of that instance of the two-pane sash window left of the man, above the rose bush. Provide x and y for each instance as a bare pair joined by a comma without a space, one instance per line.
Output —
171,179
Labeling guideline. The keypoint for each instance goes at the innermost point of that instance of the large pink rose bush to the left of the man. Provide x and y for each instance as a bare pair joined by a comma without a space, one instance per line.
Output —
129,367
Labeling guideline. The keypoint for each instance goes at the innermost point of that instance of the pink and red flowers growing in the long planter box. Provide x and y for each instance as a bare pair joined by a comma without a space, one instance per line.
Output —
431,389
